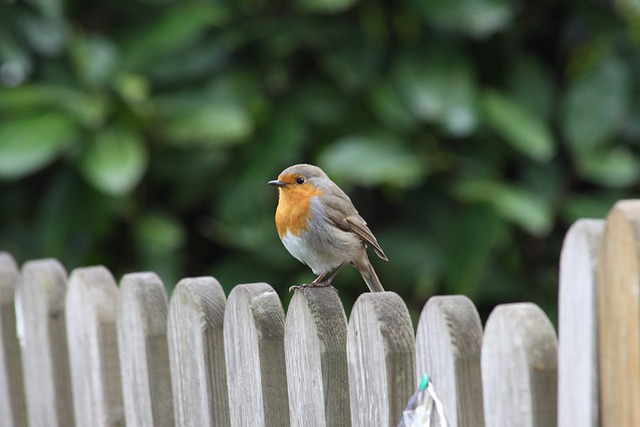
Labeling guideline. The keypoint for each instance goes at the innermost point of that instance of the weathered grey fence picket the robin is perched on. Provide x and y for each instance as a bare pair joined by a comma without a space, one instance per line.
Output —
316,354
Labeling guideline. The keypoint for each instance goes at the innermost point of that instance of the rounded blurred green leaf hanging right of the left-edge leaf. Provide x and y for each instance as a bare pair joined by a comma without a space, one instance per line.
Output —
115,161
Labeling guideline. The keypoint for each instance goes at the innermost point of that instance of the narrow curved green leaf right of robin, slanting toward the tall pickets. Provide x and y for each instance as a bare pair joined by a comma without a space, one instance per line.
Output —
514,203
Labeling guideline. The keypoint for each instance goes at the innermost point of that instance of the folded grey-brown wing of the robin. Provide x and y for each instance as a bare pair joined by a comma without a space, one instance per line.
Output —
346,217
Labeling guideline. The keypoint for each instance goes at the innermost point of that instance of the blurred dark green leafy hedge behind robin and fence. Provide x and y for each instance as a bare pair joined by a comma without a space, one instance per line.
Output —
469,133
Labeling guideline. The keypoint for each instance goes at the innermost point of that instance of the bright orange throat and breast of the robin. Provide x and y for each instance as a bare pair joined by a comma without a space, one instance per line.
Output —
294,209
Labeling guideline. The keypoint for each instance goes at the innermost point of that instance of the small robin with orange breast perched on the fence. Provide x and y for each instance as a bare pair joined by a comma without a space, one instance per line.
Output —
321,228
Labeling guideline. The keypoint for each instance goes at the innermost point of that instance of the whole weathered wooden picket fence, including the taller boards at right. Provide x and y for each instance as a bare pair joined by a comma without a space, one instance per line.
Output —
80,350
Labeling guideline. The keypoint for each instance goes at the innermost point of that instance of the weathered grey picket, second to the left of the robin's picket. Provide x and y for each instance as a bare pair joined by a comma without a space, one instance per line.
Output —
196,347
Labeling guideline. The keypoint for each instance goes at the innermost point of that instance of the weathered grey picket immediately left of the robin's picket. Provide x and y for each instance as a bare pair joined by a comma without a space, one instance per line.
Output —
254,349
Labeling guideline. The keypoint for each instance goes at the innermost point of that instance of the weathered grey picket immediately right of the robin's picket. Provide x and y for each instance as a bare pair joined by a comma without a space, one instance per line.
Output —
380,353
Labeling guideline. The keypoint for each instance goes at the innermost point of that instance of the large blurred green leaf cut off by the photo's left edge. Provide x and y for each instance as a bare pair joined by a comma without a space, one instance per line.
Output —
30,143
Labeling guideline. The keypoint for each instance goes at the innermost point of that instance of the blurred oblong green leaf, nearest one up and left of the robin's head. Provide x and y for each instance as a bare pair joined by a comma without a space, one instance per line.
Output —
212,123
